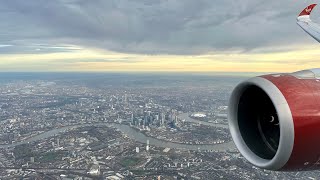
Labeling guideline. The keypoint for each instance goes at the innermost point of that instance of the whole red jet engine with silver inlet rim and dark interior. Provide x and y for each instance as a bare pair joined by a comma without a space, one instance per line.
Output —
275,120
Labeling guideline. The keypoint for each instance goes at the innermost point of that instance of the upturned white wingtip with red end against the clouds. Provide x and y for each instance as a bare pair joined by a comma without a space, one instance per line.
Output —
304,21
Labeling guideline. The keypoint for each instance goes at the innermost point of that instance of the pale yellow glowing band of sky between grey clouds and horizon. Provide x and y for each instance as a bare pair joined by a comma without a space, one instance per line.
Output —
93,60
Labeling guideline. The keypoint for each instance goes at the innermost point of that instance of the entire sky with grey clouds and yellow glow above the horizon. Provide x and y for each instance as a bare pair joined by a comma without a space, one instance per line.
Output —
155,36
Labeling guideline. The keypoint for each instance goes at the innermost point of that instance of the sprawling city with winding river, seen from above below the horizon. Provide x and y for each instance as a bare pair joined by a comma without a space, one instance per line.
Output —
121,127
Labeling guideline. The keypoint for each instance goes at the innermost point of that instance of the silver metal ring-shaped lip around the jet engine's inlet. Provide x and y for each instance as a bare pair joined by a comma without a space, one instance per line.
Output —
286,142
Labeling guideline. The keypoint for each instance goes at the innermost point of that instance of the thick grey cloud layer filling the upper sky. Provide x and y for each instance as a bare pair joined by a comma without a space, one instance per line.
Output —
152,26
